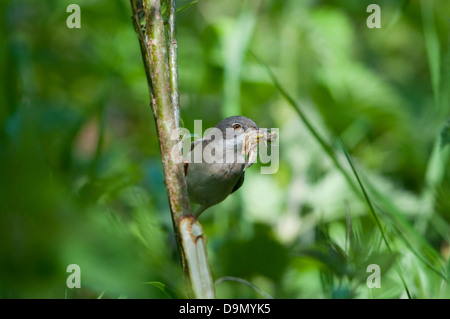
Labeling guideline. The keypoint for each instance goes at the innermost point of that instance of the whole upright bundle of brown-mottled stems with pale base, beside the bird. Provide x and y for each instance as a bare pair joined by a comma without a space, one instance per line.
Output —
162,78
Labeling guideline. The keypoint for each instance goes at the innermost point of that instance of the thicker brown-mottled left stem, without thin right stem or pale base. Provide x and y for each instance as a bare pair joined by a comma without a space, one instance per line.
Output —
153,50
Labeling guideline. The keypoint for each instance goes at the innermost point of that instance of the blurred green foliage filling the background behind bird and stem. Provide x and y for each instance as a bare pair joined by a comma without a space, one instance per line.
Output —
81,180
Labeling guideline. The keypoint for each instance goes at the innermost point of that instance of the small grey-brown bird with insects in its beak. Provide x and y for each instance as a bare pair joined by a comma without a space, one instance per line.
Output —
226,152
